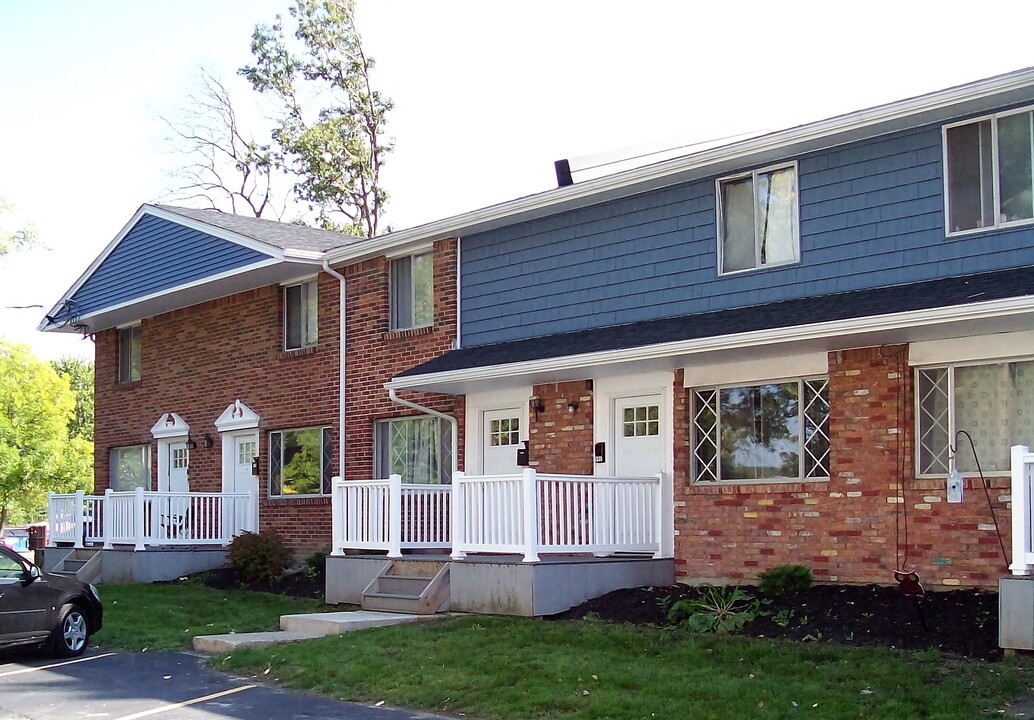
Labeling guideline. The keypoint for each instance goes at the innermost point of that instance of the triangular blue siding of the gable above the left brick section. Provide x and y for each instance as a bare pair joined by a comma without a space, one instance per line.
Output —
158,255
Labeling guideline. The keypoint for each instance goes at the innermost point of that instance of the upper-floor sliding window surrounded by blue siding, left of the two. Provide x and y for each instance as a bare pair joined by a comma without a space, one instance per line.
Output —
757,220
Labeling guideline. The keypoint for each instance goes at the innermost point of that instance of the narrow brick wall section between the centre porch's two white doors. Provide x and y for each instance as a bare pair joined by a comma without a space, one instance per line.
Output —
561,440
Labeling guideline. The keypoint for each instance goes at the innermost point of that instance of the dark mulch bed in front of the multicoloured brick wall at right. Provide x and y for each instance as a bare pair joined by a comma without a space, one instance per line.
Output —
962,622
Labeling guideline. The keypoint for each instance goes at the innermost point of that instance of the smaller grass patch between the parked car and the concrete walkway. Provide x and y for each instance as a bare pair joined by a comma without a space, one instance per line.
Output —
167,617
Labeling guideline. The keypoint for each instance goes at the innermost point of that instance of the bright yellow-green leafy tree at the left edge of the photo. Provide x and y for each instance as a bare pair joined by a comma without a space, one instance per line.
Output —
37,454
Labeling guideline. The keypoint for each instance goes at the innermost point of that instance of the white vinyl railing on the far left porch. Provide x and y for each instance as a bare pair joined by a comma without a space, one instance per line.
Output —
144,518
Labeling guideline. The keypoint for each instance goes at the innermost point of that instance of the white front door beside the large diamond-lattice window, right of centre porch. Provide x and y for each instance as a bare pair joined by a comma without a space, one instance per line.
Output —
638,436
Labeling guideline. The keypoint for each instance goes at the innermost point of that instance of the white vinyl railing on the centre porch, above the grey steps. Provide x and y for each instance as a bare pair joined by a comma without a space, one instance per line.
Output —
512,515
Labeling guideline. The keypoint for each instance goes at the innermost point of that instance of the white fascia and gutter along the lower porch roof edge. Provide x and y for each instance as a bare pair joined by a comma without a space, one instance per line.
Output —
843,328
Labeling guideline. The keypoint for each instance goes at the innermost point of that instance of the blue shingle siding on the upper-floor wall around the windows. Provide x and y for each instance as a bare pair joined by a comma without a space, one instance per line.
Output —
872,215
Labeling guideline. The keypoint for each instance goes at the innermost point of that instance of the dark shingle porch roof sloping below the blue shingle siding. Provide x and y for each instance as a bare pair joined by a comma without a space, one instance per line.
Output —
856,305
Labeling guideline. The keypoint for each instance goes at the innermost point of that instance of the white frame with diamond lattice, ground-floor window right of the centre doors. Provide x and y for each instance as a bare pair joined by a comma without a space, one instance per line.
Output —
803,476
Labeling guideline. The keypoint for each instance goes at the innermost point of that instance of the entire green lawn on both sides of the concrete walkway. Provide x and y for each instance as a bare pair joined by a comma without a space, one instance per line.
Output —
521,669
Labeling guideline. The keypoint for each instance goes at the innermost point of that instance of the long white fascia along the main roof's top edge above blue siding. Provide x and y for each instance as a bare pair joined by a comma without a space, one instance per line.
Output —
654,175
